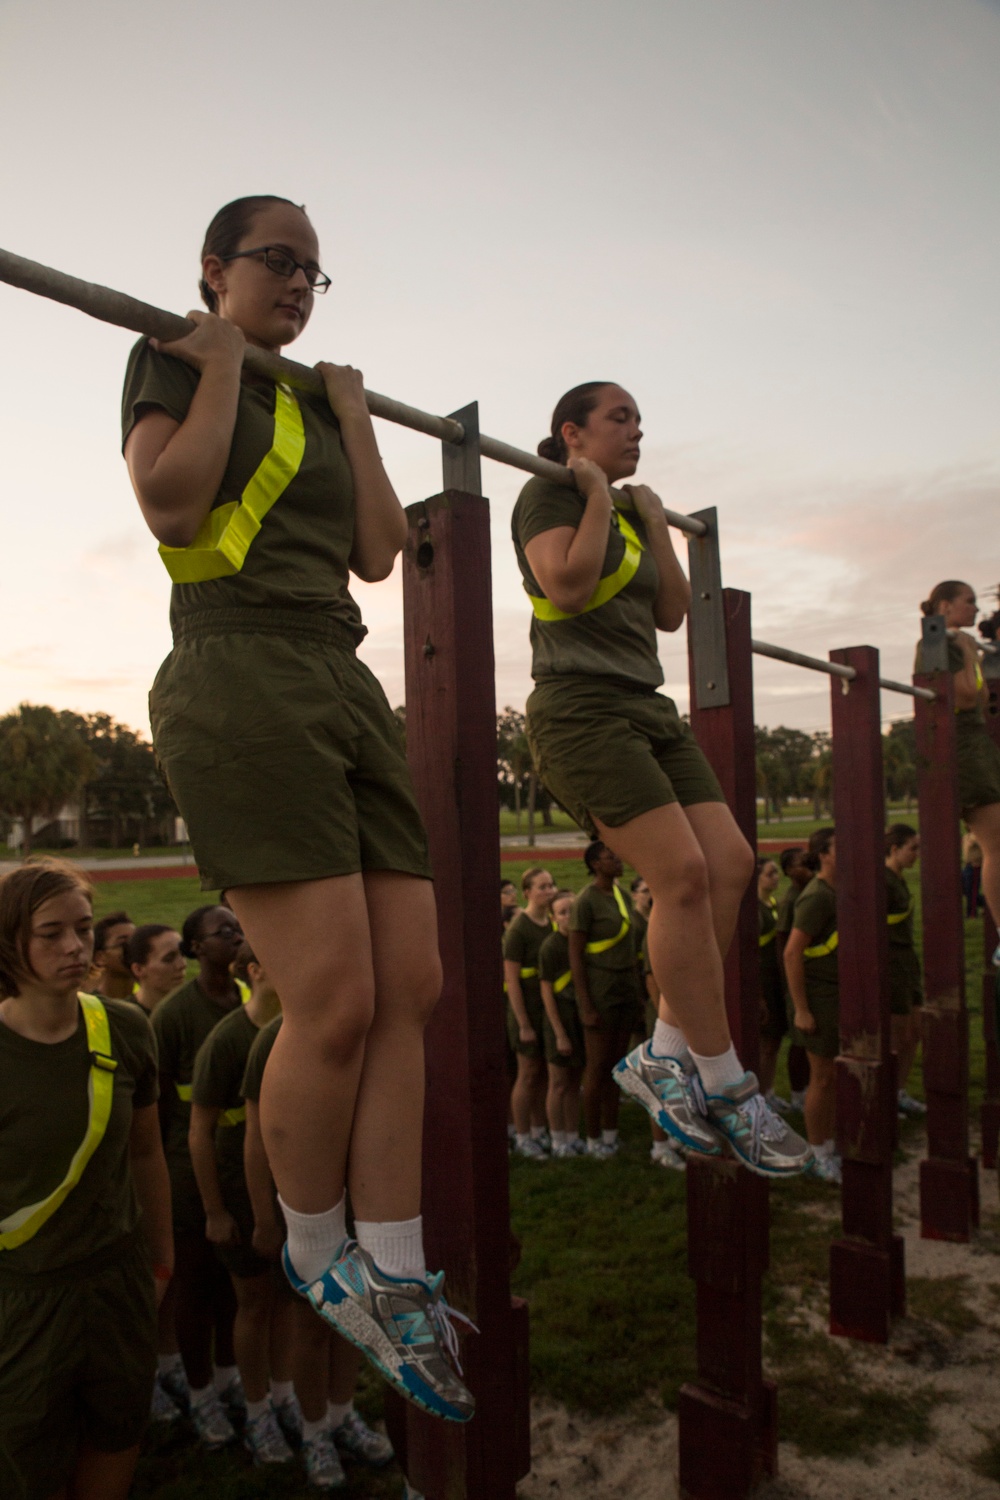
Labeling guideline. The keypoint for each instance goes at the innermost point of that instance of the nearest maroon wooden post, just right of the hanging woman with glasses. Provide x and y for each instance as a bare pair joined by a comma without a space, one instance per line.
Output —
452,751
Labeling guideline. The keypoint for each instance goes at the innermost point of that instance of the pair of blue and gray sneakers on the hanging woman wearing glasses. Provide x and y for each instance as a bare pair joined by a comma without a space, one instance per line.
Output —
404,1327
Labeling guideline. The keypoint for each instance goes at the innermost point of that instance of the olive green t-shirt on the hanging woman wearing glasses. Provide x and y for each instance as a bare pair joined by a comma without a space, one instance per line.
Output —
301,557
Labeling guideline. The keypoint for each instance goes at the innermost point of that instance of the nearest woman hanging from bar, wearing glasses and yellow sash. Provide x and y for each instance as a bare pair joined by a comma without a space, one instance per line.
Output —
287,766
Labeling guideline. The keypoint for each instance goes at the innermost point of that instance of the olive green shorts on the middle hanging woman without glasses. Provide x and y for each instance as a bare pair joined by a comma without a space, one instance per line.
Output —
614,751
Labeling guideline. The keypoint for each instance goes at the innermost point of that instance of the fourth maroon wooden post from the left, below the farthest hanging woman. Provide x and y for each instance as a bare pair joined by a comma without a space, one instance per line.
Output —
950,1183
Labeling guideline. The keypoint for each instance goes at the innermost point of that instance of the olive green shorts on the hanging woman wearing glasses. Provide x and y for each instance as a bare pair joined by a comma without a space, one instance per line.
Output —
283,754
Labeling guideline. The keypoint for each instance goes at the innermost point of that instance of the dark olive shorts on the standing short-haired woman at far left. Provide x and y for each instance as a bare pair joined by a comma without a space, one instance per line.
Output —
77,1364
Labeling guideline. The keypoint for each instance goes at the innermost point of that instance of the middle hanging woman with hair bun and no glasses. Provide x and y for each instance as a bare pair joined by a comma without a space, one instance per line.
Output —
603,578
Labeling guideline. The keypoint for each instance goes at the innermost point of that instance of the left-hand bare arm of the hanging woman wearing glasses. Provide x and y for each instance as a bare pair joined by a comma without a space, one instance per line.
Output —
176,469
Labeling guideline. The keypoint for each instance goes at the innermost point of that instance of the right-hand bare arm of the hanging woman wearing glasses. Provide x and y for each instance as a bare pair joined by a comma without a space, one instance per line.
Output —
380,523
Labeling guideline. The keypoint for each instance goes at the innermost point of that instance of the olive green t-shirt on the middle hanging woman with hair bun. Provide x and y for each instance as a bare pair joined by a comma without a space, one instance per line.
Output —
620,638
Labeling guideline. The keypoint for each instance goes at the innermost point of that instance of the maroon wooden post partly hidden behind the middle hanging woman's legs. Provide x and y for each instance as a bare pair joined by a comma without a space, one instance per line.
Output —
729,1415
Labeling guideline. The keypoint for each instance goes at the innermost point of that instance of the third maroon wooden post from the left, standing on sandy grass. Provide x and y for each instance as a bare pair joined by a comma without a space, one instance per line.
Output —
867,1267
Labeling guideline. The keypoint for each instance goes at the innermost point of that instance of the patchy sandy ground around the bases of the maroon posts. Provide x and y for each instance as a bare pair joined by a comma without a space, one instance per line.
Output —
621,1460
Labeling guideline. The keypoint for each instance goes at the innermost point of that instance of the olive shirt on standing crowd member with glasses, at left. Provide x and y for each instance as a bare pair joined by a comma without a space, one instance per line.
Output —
182,1024
